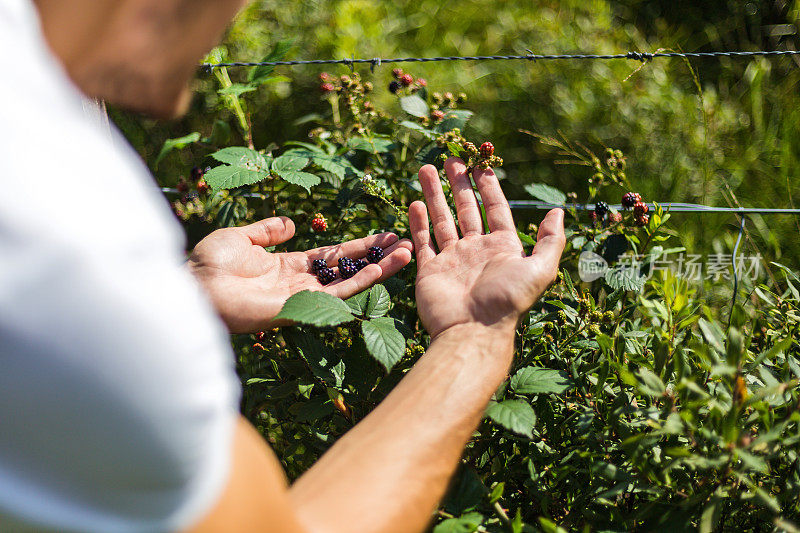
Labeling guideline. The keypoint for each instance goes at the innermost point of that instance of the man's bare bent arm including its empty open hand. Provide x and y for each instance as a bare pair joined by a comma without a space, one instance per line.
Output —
388,473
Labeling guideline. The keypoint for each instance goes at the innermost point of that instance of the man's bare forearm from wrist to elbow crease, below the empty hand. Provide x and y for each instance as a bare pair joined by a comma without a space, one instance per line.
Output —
389,472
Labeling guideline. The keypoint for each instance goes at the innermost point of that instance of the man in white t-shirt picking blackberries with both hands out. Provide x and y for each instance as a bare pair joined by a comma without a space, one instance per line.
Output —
118,399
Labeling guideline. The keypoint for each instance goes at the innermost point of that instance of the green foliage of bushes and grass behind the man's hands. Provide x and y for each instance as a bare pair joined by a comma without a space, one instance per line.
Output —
631,403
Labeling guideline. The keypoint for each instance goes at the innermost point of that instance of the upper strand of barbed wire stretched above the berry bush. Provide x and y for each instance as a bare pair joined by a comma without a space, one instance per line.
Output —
530,56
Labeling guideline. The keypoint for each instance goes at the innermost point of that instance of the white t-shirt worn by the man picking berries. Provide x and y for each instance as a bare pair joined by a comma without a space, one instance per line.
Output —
118,393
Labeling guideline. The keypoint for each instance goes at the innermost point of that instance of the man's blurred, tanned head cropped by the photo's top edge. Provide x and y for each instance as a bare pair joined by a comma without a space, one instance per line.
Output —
139,54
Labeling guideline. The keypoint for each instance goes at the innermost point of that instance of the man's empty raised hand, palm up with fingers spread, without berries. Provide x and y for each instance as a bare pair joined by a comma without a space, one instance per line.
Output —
479,278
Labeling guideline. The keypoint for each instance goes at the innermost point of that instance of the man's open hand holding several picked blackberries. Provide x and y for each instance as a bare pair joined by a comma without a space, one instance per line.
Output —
248,285
